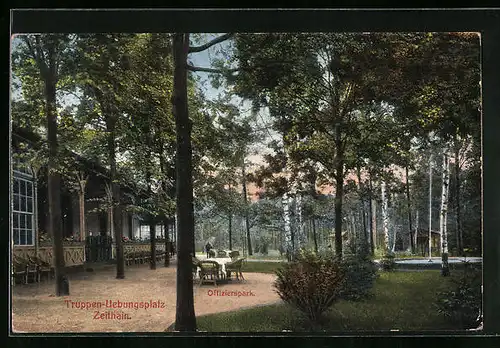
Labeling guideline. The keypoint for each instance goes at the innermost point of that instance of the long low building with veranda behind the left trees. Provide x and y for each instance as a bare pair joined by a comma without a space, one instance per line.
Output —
30,211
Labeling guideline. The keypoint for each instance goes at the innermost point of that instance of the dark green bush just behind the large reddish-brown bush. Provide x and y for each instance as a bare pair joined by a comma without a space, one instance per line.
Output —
360,273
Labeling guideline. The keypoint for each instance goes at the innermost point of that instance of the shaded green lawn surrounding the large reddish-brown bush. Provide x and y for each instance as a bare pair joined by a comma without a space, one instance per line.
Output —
402,300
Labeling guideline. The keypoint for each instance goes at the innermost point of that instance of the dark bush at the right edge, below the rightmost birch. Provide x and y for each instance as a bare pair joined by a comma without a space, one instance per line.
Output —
462,304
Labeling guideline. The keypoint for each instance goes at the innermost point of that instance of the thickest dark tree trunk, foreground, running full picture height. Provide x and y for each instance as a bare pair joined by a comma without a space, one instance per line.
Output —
185,319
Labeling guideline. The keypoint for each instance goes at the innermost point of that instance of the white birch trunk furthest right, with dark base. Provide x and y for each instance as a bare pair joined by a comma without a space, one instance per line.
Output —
445,268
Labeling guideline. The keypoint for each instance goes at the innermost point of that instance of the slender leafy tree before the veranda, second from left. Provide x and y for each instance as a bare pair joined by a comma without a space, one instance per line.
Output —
103,72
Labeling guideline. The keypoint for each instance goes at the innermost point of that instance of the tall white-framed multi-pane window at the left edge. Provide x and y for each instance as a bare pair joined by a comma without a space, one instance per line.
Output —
23,224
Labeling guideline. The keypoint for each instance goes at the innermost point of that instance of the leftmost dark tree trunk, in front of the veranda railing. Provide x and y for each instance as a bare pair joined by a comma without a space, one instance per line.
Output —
54,185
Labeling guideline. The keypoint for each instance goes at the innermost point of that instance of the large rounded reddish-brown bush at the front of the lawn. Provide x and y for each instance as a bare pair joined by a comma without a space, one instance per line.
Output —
311,283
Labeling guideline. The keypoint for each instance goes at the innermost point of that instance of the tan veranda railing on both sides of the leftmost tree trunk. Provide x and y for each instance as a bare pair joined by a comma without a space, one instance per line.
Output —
74,254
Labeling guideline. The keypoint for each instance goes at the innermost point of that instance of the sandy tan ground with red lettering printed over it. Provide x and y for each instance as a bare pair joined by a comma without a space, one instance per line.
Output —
35,309
